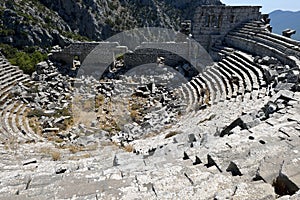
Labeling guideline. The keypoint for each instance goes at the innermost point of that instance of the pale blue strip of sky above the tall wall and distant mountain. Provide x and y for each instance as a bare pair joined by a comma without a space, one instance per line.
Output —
268,5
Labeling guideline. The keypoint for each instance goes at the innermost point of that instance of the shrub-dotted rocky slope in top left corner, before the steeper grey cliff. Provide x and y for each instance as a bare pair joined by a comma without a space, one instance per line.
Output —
25,23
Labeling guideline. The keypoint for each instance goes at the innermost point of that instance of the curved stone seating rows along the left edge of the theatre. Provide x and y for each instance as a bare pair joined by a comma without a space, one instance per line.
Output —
14,126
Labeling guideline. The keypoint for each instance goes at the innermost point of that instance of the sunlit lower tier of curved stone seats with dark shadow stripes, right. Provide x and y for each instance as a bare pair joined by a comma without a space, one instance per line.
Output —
231,78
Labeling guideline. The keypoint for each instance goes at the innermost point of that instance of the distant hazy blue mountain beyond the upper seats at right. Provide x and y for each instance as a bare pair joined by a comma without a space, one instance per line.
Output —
281,20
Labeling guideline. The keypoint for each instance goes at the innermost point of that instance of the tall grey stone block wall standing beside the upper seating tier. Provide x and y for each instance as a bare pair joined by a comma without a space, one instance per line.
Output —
214,22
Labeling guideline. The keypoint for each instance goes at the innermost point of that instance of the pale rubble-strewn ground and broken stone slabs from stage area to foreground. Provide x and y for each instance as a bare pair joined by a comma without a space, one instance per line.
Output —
243,147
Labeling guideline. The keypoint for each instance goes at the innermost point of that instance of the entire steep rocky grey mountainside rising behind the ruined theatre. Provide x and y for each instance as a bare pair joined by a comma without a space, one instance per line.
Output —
50,22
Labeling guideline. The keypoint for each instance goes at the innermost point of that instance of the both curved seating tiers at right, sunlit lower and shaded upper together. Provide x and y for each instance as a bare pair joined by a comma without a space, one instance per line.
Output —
236,73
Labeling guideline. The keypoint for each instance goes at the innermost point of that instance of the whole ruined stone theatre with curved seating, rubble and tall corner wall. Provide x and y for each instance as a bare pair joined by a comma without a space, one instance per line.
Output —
231,132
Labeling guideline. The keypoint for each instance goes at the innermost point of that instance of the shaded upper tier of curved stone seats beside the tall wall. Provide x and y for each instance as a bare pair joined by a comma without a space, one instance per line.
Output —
258,41
